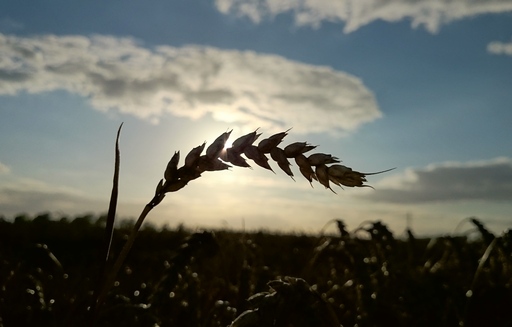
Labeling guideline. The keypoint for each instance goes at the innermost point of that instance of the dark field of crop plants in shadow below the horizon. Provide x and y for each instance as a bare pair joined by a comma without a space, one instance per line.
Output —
49,269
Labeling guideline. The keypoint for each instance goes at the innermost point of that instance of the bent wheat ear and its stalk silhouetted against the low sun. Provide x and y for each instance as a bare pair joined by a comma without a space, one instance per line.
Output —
321,167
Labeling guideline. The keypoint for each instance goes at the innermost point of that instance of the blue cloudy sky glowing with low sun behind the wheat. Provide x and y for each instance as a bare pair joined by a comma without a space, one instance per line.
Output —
423,86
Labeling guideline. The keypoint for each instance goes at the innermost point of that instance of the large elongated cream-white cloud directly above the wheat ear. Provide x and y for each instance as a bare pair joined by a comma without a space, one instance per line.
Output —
244,87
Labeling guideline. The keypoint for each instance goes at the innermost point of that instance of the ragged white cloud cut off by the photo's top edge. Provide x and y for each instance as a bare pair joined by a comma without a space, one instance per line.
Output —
431,14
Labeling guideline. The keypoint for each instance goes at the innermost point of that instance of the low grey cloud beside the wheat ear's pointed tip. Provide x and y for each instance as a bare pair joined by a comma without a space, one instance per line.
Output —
487,180
